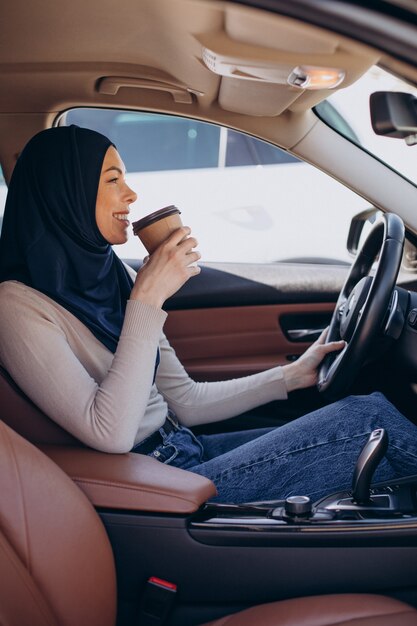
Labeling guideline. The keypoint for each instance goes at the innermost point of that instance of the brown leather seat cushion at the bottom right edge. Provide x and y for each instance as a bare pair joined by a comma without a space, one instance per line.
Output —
336,610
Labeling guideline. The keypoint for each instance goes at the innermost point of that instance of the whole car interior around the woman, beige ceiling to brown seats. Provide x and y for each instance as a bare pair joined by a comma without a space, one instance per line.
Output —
94,538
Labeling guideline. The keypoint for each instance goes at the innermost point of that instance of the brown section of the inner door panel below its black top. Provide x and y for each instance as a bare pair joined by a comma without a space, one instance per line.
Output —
227,342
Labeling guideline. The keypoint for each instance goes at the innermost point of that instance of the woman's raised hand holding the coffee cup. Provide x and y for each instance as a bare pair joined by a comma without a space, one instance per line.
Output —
167,269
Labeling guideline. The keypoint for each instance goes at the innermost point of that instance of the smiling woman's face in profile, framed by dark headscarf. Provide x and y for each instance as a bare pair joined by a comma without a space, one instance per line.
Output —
113,199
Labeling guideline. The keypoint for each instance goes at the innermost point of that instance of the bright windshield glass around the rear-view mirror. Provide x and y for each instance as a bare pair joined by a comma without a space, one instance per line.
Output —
352,105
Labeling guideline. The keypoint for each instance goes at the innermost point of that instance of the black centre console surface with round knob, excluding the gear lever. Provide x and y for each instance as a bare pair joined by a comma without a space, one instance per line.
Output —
390,512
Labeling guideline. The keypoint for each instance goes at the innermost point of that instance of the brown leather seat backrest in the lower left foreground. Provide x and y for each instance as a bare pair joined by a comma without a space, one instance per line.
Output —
56,562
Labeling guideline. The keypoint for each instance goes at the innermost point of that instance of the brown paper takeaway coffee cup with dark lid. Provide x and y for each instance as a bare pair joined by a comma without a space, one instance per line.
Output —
155,228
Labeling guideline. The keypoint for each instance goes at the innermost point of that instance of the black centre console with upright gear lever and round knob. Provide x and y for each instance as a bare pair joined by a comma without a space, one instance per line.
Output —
388,507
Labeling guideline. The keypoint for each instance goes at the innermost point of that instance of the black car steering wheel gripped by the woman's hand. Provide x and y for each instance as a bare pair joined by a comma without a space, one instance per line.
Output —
362,305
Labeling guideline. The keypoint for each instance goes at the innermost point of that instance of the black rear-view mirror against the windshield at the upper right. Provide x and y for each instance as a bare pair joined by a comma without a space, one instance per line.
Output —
394,114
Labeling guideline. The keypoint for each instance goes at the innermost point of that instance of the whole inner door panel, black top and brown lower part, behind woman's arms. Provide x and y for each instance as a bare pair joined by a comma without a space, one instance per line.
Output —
245,318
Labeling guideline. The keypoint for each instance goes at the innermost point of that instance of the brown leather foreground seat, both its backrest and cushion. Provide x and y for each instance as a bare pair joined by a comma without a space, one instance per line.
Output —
57,569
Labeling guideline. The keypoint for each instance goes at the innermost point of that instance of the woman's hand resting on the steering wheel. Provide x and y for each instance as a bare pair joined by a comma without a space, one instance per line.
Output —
303,372
